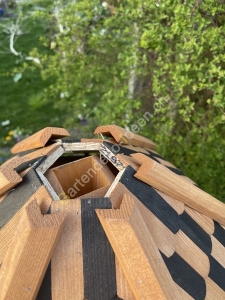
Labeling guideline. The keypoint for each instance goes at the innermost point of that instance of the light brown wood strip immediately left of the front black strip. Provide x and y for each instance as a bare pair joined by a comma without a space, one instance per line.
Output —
67,259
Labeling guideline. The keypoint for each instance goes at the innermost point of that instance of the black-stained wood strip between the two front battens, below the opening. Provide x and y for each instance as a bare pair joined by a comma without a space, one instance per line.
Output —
98,256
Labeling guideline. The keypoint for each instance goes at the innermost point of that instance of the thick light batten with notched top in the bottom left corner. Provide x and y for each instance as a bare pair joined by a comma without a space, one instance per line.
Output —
30,249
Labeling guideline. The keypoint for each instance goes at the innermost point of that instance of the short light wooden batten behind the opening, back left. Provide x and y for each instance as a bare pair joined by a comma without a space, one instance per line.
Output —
40,139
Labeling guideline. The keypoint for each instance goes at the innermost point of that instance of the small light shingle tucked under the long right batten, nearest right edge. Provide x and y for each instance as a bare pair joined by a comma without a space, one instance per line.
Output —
205,222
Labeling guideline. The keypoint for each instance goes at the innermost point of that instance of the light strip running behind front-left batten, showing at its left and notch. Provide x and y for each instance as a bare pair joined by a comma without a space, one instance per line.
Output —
7,232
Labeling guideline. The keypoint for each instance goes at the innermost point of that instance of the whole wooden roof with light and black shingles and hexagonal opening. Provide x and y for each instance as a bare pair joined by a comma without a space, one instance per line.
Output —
104,219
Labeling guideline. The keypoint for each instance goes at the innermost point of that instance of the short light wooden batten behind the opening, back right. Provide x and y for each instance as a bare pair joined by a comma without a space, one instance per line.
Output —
123,136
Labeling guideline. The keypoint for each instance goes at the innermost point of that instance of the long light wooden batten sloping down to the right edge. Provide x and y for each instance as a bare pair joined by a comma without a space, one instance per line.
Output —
173,185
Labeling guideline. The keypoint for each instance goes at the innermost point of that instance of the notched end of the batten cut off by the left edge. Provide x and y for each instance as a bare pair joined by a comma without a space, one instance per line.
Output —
9,178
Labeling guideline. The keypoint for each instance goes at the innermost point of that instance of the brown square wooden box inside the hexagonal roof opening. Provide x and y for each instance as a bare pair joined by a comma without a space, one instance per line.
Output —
83,176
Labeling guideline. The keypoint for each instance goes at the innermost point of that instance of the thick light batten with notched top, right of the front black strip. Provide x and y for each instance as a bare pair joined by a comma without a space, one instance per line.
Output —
137,253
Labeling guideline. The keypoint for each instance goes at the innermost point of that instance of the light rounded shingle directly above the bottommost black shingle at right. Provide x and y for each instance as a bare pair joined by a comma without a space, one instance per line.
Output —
192,254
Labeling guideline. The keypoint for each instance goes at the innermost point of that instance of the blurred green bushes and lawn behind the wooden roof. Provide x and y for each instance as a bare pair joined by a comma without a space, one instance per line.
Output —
112,61
